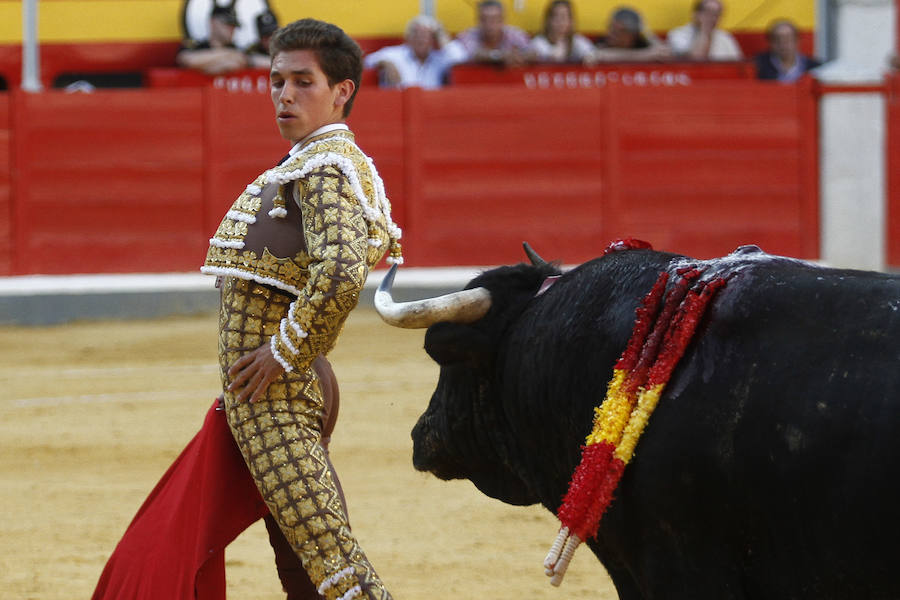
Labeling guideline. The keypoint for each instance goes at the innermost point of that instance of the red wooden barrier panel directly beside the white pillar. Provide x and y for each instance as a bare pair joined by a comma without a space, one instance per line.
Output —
705,168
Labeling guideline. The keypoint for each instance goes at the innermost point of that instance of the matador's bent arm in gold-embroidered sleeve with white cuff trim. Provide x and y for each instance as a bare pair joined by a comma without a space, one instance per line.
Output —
336,239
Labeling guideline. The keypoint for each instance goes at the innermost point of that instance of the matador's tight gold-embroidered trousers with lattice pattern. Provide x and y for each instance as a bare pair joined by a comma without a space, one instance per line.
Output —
279,437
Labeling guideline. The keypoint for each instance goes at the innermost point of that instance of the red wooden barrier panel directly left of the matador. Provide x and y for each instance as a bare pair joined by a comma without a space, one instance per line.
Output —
107,182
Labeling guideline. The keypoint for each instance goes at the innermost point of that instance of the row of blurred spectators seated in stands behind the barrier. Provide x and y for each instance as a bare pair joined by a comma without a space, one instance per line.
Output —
428,53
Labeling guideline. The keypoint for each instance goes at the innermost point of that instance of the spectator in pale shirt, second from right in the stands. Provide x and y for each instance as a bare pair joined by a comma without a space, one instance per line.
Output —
701,39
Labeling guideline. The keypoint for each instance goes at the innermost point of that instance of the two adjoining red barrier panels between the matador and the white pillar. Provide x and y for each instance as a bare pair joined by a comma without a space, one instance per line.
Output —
698,170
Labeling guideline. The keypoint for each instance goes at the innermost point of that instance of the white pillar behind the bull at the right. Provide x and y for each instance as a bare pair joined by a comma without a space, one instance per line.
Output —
852,133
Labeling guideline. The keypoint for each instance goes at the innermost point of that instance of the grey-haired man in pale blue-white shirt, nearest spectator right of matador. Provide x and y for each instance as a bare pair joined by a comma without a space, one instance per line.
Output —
421,61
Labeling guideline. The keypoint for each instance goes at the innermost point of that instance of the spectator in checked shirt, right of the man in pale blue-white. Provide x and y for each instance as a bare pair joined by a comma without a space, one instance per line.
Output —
492,40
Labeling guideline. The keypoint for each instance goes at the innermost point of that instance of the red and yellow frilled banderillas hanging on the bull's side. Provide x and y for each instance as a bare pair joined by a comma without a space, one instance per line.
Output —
664,325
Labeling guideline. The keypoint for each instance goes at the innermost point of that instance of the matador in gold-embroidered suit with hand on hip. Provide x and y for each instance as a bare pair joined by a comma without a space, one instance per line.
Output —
291,257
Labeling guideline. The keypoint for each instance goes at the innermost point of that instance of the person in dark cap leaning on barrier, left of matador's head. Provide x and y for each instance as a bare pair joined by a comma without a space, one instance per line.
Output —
218,54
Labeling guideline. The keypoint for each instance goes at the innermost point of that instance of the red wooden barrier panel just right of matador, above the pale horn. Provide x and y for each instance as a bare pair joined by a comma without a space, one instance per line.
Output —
495,168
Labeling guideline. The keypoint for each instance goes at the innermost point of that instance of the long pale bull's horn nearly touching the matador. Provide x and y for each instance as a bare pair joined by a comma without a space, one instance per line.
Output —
466,306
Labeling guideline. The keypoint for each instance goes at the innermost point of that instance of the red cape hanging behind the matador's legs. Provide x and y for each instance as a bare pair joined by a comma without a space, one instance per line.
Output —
174,547
